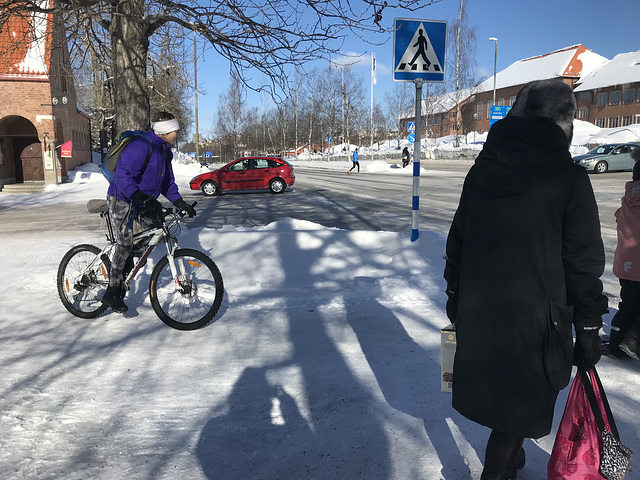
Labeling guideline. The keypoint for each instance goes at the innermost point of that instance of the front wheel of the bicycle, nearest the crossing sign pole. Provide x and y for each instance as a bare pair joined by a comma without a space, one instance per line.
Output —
191,300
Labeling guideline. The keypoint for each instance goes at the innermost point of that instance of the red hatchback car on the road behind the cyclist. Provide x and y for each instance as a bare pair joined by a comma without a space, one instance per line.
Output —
247,173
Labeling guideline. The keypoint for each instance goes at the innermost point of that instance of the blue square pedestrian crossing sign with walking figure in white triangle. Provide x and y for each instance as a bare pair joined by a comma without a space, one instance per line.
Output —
419,50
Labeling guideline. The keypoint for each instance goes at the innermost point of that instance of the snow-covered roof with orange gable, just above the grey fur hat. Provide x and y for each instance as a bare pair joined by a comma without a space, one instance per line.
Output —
571,62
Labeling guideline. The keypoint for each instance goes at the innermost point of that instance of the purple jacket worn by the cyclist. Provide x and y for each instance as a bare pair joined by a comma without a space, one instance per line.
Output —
157,179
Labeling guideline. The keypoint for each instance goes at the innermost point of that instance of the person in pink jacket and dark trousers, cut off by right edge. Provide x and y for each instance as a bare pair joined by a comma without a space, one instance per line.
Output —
625,326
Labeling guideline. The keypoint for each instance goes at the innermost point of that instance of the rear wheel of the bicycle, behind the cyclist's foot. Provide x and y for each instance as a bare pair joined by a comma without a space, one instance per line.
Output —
82,279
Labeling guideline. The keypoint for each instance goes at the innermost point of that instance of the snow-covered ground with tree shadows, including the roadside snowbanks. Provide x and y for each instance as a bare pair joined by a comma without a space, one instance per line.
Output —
324,363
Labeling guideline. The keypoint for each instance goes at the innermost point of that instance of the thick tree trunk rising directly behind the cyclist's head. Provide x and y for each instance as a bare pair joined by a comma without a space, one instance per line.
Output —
130,47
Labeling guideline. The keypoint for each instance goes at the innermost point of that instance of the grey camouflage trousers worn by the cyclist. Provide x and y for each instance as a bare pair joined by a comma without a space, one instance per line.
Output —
126,221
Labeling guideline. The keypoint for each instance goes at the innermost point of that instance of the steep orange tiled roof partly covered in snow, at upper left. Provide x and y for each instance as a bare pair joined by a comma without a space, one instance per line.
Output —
25,45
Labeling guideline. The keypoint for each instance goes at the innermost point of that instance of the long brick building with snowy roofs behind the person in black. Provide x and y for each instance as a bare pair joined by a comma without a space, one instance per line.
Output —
607,91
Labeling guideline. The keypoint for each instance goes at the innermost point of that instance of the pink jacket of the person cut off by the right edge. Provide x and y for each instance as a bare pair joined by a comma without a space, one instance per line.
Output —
626,260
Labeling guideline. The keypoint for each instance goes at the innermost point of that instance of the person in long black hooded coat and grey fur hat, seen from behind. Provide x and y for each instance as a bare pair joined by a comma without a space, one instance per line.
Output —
524,257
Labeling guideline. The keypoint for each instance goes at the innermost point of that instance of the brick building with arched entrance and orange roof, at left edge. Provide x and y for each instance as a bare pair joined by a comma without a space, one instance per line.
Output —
38,109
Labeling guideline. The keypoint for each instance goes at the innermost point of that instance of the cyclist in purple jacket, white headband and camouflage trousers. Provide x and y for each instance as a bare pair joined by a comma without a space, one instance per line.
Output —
133,197
